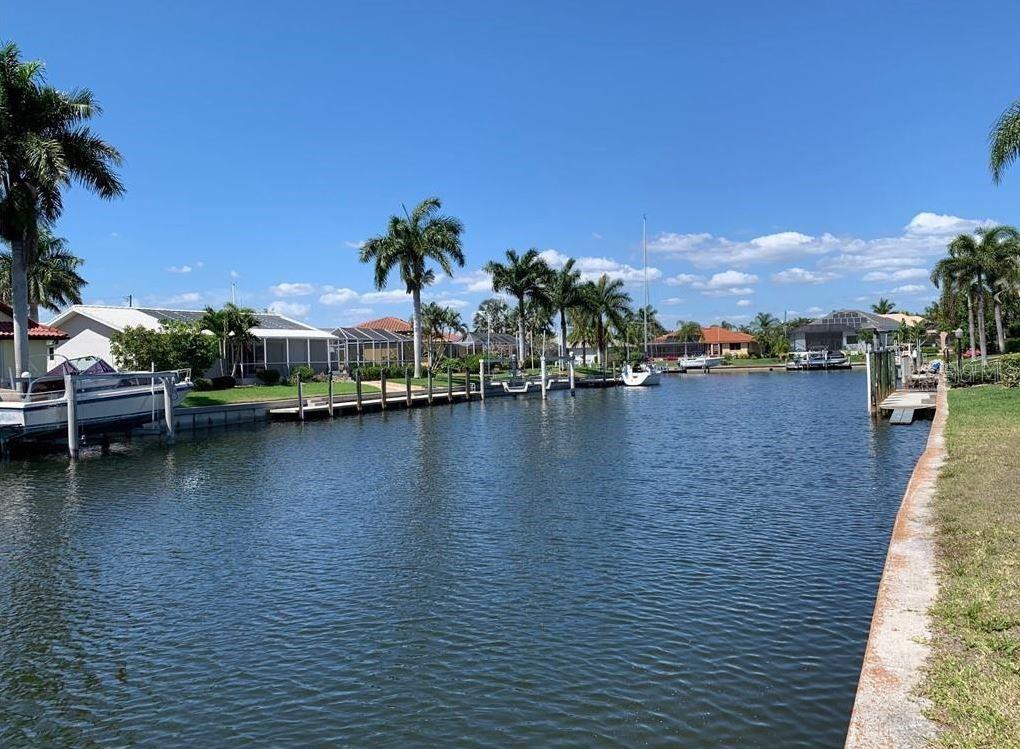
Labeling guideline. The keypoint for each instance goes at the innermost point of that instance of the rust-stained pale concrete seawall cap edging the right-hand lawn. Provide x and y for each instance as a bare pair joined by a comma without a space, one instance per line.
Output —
887,714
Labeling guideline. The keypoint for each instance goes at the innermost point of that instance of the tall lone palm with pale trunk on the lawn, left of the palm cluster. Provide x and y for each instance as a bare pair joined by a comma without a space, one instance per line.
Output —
411,242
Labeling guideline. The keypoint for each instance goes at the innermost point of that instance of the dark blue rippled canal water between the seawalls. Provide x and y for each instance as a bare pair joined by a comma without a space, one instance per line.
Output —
693,566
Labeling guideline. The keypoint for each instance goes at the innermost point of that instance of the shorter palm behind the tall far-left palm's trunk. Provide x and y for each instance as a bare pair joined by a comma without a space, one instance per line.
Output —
54,279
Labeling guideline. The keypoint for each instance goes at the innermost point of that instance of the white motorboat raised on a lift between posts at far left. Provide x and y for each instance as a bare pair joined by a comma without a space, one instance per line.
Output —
101,403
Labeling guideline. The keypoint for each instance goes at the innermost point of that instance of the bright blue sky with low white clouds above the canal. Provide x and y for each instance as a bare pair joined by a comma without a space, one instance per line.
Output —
790,157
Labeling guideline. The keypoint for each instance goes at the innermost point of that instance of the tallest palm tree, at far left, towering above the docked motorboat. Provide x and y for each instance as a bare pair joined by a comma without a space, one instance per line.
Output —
45,146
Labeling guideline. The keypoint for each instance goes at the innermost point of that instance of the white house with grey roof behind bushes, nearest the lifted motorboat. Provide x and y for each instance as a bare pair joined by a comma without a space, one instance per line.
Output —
281,342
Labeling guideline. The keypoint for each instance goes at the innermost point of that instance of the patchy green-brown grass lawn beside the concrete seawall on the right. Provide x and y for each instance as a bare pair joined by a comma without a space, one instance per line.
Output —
975,677
